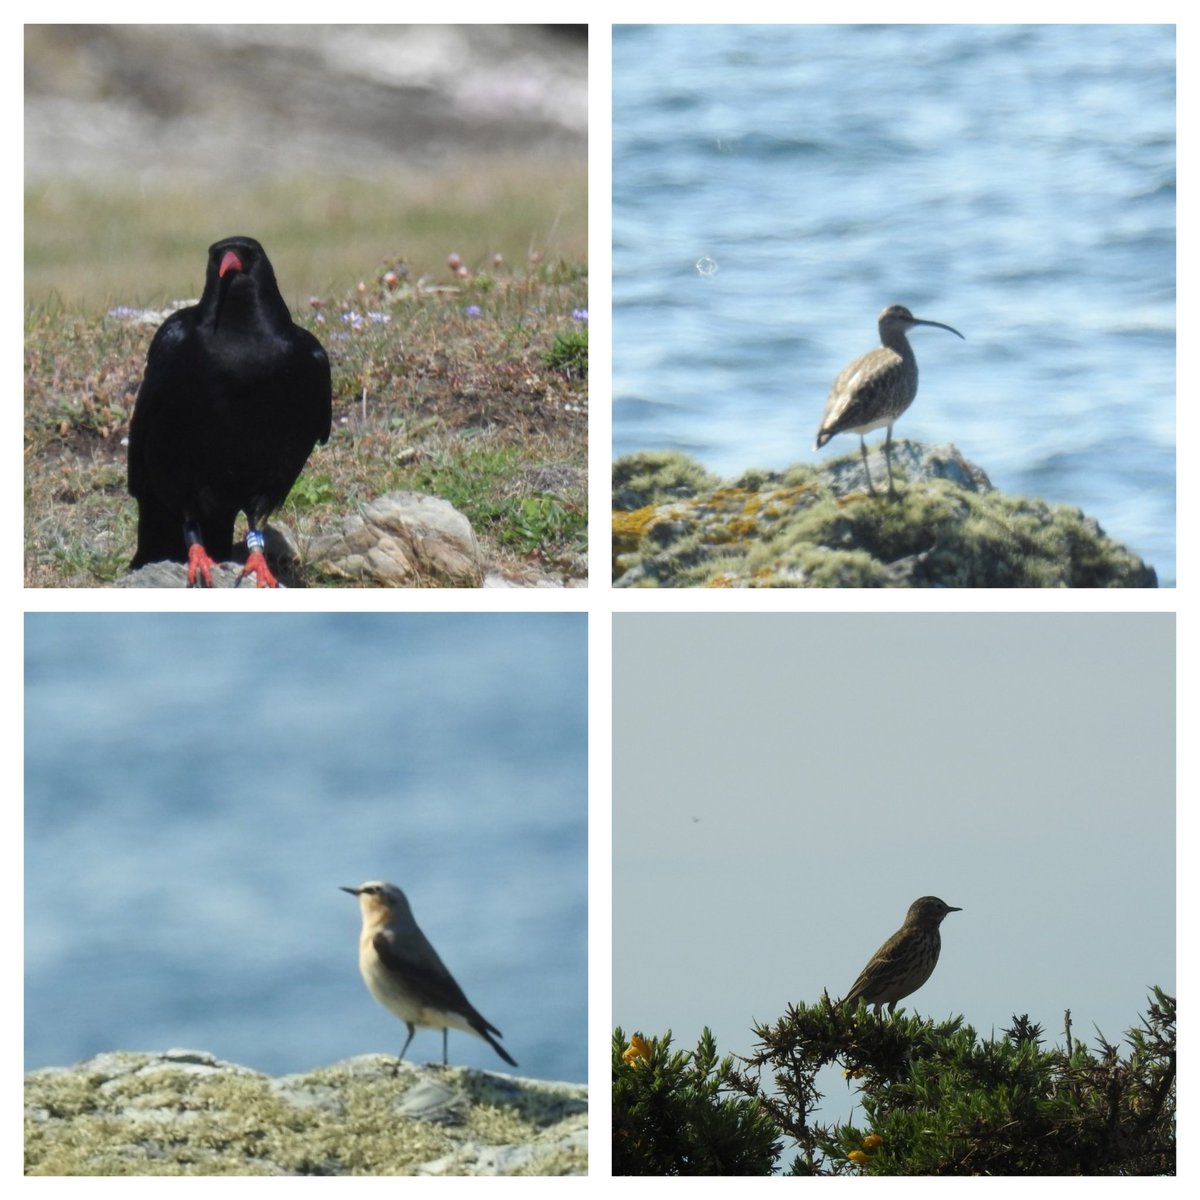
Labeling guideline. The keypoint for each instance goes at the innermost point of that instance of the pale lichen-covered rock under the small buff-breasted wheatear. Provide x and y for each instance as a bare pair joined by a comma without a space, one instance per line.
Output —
187,1113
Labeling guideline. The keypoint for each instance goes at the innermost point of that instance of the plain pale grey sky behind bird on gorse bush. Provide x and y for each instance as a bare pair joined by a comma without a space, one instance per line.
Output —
1021,766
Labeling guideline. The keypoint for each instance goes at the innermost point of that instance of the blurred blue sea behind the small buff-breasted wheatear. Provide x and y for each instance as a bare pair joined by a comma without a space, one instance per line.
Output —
197,789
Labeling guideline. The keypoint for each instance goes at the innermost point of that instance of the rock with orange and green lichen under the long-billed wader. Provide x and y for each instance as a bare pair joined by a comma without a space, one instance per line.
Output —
675,525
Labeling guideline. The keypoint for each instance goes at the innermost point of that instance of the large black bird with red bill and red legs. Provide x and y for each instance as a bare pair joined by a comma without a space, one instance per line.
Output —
233,401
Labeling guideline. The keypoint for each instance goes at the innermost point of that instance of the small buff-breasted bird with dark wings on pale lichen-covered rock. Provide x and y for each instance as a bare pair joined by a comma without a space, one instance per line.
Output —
404,973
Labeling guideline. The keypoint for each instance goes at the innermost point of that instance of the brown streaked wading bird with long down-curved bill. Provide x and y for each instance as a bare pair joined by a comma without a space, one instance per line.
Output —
874,391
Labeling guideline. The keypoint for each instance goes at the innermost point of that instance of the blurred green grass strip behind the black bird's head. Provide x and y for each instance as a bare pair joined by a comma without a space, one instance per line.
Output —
94,248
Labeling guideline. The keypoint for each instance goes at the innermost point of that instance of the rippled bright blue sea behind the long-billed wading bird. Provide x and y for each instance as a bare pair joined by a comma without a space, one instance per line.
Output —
776,188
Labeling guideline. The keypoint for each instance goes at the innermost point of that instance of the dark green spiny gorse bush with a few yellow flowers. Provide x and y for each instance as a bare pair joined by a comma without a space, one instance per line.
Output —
937,1100
